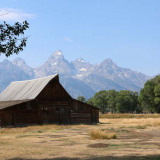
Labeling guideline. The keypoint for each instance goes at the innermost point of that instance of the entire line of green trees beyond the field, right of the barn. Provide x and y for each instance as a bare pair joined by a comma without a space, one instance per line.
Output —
125,101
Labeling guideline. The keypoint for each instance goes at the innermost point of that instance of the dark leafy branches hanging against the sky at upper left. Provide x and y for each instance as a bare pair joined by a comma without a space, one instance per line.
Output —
11,40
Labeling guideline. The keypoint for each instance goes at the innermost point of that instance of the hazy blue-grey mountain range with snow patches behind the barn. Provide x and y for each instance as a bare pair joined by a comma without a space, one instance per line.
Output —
78,77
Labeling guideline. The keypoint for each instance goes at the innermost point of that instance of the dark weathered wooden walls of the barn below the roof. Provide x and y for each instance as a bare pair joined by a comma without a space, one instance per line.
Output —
52,105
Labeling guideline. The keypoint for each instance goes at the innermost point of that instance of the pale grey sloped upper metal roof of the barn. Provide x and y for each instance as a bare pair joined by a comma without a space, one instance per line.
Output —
25,90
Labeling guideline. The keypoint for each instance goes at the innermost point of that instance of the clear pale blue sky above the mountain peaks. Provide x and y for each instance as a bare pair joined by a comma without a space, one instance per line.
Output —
127,31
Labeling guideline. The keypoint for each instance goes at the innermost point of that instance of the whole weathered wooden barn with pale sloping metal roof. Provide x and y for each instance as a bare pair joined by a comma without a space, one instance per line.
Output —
43,101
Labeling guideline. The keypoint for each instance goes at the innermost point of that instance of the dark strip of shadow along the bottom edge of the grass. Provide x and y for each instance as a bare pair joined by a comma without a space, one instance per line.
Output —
151,157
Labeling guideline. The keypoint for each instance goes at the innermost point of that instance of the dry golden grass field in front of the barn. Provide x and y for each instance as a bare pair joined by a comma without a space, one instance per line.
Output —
134,138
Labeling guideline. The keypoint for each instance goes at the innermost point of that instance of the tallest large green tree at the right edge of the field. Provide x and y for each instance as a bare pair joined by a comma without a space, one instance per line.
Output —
150,95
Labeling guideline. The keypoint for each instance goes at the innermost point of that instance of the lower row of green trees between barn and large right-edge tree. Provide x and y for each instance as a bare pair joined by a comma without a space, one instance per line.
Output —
113,101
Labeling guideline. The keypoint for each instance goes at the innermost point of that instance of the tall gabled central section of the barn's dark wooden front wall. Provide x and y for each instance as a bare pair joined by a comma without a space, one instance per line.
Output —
54,104
